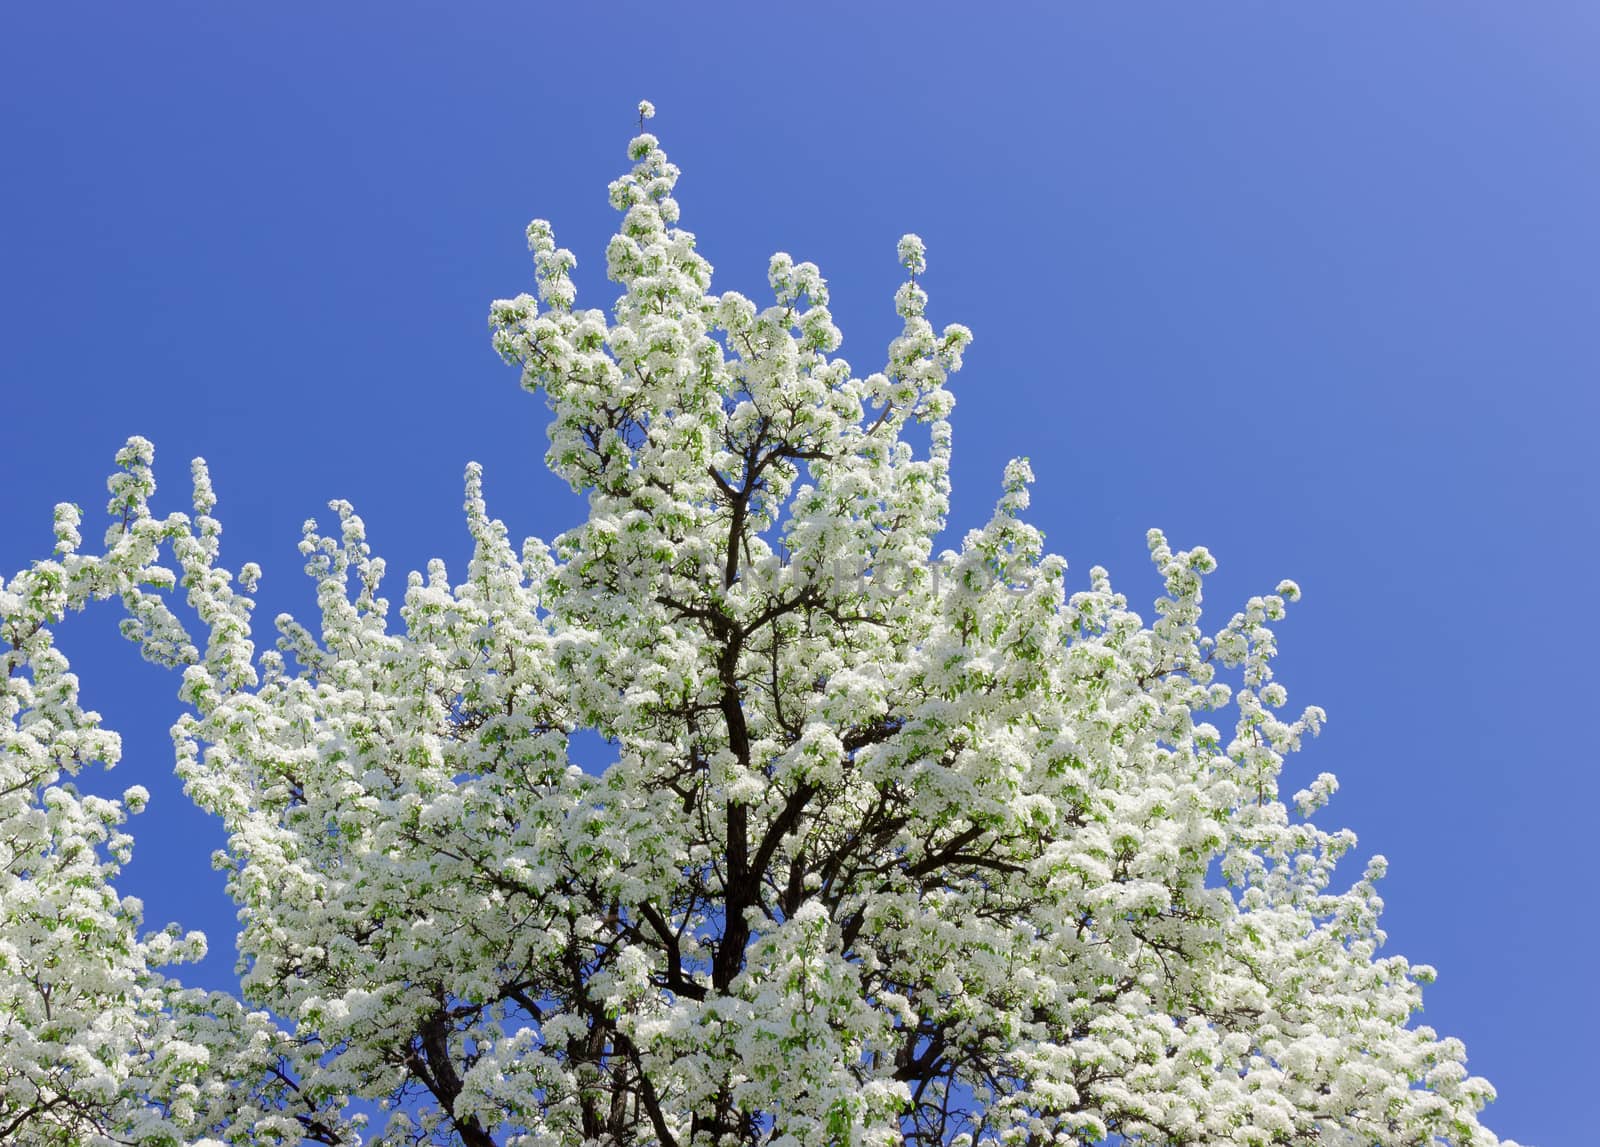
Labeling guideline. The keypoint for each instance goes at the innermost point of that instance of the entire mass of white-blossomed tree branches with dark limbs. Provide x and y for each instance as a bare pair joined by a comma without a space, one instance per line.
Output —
897,847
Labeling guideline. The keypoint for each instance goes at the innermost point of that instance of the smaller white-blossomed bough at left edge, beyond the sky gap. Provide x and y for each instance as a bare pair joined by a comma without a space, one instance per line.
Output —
97,1045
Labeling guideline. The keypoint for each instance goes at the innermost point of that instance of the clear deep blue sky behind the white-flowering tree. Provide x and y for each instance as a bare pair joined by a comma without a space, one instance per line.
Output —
1310,284
